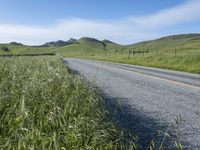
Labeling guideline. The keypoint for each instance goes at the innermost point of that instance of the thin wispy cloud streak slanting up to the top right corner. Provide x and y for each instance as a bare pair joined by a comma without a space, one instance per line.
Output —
187,12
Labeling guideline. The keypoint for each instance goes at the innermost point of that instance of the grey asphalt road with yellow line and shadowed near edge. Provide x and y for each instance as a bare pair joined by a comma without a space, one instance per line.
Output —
148,99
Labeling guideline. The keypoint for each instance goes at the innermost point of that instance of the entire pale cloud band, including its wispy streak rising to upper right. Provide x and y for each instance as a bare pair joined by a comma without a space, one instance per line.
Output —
123,30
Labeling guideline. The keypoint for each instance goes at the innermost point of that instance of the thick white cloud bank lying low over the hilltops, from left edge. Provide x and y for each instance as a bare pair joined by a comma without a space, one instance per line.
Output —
121,32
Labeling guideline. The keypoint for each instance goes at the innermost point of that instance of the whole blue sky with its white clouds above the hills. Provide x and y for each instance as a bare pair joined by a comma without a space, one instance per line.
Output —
37,21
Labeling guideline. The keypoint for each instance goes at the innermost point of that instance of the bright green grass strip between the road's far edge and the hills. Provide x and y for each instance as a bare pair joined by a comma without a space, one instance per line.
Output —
188,61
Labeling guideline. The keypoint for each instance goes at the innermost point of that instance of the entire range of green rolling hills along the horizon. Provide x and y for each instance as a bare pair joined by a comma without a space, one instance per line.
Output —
74,47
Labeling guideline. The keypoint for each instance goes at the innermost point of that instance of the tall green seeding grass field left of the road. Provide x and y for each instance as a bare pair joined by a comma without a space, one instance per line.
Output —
43,106
